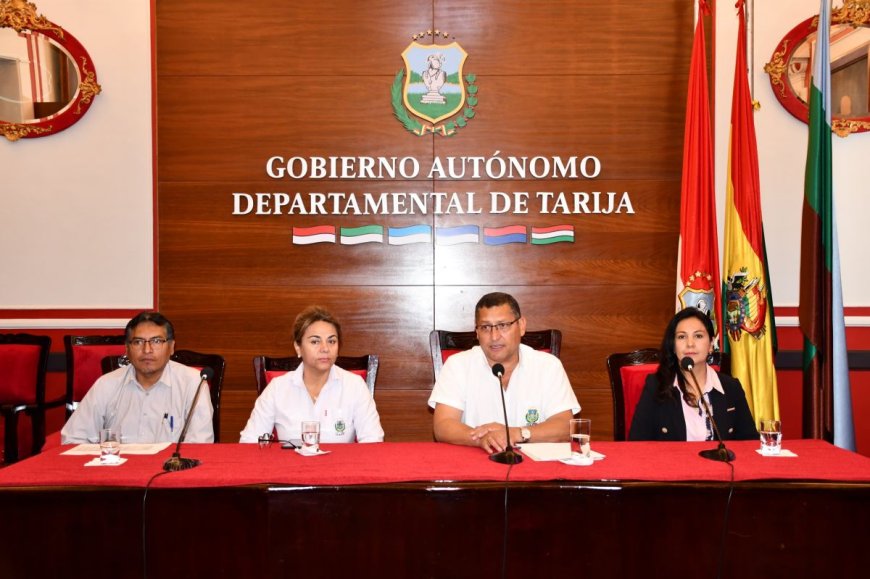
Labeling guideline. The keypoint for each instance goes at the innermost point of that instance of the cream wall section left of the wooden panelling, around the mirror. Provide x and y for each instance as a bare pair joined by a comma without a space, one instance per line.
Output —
76,208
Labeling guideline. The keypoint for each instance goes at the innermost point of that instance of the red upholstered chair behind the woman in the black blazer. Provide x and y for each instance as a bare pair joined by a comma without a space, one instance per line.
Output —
628,372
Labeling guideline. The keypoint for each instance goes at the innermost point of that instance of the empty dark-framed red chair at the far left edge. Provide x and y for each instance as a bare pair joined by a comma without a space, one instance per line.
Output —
23,364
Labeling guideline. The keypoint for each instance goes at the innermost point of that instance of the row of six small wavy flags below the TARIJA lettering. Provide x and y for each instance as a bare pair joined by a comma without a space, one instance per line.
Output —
423,234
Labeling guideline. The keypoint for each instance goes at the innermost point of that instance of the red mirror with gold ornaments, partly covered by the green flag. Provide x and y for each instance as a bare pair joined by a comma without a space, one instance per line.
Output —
791,65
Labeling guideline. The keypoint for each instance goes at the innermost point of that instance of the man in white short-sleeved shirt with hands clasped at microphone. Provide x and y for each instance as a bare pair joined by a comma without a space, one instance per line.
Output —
466,397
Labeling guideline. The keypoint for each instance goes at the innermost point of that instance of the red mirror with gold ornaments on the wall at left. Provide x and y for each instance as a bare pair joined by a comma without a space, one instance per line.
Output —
47,78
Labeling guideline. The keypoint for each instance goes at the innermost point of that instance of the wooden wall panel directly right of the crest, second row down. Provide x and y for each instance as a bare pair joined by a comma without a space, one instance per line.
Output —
627,124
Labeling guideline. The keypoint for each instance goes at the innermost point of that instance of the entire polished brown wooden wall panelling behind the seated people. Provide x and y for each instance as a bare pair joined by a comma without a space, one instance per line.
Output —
237,84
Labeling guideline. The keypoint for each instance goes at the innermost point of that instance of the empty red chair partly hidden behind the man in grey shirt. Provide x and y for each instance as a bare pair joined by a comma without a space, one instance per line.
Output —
84,355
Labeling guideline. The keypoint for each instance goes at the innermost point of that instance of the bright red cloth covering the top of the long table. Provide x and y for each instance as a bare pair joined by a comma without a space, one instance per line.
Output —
346,464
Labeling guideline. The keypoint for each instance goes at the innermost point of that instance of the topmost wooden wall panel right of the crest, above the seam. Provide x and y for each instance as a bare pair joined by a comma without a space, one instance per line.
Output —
623,37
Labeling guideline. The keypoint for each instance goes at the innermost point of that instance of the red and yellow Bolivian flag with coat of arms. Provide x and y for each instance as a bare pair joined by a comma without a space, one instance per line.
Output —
748,309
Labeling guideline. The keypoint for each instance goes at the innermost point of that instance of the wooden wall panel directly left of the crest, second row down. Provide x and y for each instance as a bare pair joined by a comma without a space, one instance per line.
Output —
226,128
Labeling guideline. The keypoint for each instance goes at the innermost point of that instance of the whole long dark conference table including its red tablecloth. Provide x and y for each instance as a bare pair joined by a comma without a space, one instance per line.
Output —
415,510
